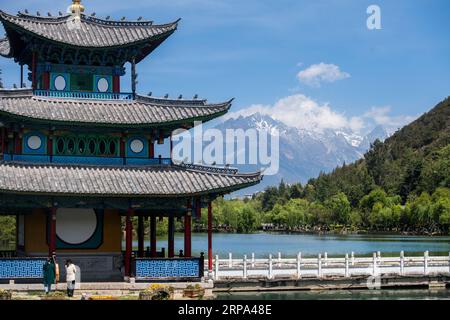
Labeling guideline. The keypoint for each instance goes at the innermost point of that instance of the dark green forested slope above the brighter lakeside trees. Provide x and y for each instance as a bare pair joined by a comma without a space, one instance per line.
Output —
413,160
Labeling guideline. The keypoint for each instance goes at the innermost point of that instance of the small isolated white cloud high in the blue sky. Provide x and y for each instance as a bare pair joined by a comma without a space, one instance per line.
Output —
315,74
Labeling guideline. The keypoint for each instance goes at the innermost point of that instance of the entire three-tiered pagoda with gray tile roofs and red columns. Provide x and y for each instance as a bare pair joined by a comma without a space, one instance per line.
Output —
77,154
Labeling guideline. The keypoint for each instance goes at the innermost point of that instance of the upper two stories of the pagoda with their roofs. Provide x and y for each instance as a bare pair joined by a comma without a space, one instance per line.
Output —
75,111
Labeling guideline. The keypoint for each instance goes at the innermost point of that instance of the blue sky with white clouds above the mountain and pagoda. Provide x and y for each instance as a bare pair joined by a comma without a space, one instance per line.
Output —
293,59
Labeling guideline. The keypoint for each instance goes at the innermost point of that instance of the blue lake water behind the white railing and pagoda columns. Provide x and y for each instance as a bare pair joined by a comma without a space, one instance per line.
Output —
263,244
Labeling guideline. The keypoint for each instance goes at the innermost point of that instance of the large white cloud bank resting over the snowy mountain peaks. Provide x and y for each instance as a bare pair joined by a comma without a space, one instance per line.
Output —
304,113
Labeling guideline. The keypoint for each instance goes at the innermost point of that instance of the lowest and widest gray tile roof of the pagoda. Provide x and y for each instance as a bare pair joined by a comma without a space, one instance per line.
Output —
152,181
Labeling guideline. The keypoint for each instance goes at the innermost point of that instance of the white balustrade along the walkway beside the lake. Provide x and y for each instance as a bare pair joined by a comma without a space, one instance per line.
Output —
323,266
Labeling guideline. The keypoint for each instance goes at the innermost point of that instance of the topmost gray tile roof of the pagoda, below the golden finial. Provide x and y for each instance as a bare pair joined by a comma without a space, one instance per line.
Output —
93,32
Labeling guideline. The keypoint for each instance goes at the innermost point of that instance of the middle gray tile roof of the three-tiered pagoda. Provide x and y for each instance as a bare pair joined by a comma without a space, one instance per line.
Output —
141,112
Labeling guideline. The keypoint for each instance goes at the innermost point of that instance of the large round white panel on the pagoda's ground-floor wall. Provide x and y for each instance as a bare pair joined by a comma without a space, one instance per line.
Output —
75,226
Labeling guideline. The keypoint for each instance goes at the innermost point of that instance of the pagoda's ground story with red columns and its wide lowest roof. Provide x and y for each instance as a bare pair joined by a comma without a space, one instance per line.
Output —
77,213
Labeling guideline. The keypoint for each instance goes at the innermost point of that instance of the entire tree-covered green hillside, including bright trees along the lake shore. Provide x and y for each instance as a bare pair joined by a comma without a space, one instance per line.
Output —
401,185
